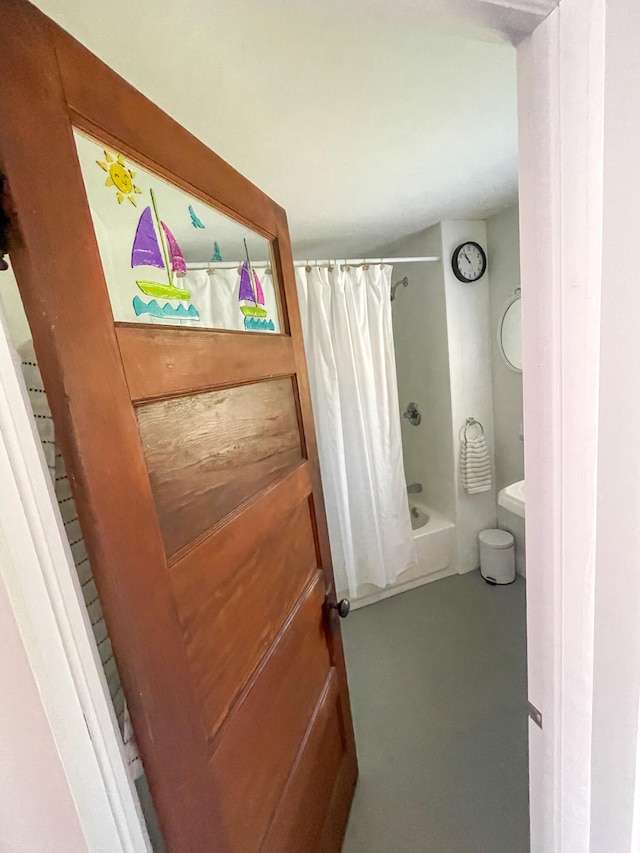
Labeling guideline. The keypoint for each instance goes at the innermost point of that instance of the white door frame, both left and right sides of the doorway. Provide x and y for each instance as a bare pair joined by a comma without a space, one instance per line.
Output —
560,65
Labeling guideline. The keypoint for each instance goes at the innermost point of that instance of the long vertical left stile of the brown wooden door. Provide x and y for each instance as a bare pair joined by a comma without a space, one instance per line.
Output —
80,363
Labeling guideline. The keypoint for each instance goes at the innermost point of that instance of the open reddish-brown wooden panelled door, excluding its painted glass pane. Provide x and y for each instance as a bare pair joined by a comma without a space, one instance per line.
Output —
194,465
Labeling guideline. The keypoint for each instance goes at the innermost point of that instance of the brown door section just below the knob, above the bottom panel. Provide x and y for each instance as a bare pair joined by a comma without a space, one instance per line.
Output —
282,698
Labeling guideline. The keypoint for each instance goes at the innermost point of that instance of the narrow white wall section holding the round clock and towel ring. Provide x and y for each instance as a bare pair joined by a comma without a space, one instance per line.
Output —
469,328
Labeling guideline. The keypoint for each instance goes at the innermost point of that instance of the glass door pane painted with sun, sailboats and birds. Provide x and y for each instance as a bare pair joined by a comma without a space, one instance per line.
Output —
170,258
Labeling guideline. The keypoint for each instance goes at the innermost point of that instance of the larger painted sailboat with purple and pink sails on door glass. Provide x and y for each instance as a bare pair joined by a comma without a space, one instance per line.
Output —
155,246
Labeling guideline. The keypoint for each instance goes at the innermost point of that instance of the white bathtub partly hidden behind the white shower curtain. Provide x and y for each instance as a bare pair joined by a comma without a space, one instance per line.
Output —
435,541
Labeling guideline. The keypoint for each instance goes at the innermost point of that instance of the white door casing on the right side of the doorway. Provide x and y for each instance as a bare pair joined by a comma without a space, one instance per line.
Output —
561,109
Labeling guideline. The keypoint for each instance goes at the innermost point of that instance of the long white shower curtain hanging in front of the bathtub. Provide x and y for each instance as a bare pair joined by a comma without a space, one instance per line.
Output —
346,319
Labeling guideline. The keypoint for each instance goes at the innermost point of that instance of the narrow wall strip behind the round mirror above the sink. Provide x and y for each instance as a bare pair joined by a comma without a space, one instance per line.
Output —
503,242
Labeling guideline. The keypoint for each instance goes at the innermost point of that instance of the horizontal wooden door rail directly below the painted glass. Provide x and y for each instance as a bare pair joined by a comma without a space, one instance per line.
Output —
160,362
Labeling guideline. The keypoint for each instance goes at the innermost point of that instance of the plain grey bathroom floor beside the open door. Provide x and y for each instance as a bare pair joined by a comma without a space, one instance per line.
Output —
438,690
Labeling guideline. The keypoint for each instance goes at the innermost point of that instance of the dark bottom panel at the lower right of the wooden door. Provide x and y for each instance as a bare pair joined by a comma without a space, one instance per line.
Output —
299,821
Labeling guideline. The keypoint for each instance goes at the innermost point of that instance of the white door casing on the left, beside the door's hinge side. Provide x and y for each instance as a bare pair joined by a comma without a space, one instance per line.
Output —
45,595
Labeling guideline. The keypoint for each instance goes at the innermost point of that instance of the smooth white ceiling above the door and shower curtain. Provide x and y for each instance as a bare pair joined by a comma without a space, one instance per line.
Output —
366,119
